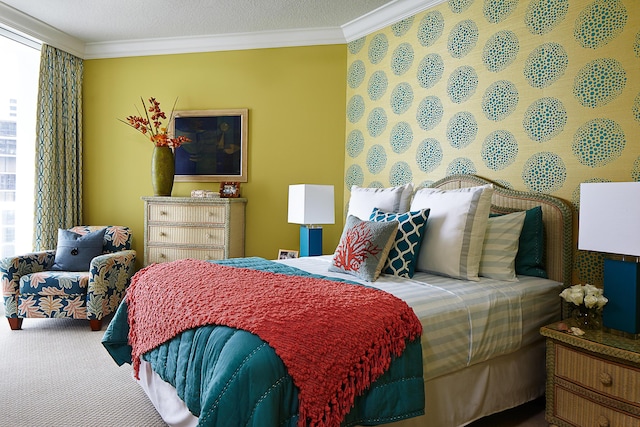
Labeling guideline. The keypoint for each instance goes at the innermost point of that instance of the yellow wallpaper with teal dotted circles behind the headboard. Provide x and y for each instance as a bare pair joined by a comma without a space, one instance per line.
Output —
537,95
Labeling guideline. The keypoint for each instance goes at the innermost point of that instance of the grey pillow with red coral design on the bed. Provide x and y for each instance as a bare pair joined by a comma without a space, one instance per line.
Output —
363,248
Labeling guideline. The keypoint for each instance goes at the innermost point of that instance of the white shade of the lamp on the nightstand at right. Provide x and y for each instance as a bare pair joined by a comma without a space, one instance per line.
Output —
610,217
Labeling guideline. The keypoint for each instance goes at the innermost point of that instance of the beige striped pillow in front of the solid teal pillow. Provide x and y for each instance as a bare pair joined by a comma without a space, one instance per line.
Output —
498,260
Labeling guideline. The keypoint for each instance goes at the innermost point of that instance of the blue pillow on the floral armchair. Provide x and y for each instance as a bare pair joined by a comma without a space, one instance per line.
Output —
75,251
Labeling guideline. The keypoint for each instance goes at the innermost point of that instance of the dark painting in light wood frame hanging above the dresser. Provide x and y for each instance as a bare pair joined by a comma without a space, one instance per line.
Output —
217,151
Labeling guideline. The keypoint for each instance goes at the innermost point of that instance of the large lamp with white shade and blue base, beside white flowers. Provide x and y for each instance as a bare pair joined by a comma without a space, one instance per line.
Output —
610,223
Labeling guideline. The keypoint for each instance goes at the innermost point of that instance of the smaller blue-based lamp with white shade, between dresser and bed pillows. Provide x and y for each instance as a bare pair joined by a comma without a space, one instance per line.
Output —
311,205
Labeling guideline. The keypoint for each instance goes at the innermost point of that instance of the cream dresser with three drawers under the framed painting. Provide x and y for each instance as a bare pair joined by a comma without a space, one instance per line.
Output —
193,227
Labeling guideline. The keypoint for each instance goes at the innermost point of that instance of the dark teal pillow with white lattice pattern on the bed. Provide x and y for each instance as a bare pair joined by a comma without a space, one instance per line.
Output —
404,251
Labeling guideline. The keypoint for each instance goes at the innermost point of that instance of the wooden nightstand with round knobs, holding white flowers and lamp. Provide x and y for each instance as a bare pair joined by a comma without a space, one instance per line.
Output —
592,380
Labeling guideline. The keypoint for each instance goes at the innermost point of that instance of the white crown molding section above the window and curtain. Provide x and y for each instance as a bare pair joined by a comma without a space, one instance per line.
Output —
39,31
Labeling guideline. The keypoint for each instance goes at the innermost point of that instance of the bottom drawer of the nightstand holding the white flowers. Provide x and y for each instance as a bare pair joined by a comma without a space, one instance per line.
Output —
579,411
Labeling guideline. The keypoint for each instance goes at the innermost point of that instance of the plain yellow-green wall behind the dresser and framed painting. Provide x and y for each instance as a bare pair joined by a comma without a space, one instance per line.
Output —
296,102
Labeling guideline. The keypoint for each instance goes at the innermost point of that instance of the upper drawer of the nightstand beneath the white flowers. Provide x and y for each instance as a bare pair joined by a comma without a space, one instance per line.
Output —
609,378
